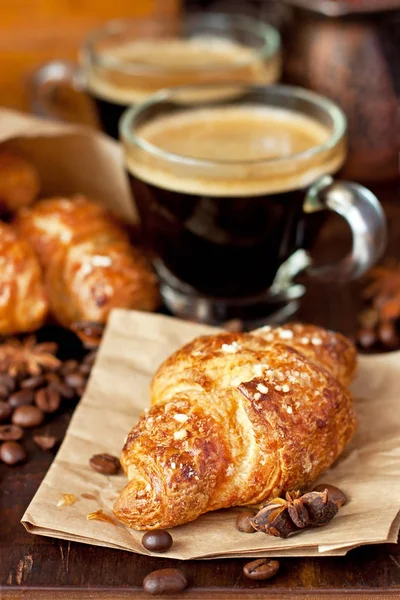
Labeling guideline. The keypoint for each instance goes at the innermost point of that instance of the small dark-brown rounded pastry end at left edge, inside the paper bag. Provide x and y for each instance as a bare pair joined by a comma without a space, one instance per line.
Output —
19,182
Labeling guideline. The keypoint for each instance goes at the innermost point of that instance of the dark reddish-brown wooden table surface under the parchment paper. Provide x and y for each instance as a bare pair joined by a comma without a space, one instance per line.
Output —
34,567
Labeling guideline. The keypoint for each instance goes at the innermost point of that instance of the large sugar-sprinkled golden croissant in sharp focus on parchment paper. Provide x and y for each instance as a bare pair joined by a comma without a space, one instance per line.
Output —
236,419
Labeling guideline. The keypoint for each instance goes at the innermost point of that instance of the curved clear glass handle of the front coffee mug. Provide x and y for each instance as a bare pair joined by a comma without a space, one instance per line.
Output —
366,219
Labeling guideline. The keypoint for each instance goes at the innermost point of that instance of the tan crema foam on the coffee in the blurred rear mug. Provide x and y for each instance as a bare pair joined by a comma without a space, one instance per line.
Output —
174,62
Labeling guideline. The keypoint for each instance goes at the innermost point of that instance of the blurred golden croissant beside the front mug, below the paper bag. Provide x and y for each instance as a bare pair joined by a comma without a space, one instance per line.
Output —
89,264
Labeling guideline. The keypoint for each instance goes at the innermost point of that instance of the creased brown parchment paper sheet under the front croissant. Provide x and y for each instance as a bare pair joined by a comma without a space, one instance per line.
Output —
133,347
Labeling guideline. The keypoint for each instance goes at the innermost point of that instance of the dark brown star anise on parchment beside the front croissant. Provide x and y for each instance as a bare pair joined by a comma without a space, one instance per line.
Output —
283,516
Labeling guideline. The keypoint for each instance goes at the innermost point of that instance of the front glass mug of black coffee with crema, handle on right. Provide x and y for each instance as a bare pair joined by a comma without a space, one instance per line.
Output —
224,186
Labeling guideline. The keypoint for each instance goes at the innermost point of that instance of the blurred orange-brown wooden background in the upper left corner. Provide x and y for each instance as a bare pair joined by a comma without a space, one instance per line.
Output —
35,31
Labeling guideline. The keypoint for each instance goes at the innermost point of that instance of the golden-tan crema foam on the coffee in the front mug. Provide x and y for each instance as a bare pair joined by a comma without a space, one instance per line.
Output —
255,148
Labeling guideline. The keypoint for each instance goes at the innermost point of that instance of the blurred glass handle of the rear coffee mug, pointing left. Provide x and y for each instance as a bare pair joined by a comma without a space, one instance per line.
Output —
57,91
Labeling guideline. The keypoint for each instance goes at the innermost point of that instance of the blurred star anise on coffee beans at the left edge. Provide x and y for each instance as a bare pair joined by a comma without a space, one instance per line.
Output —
27,357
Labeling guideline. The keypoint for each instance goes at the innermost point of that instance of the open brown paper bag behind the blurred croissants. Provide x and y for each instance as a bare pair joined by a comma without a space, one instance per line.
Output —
70,159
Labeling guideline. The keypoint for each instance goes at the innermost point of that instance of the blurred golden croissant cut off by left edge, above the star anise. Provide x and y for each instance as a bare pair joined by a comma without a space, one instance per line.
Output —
23,303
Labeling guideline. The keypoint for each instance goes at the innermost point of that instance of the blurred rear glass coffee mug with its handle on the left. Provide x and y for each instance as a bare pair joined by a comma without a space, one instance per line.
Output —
128,60
